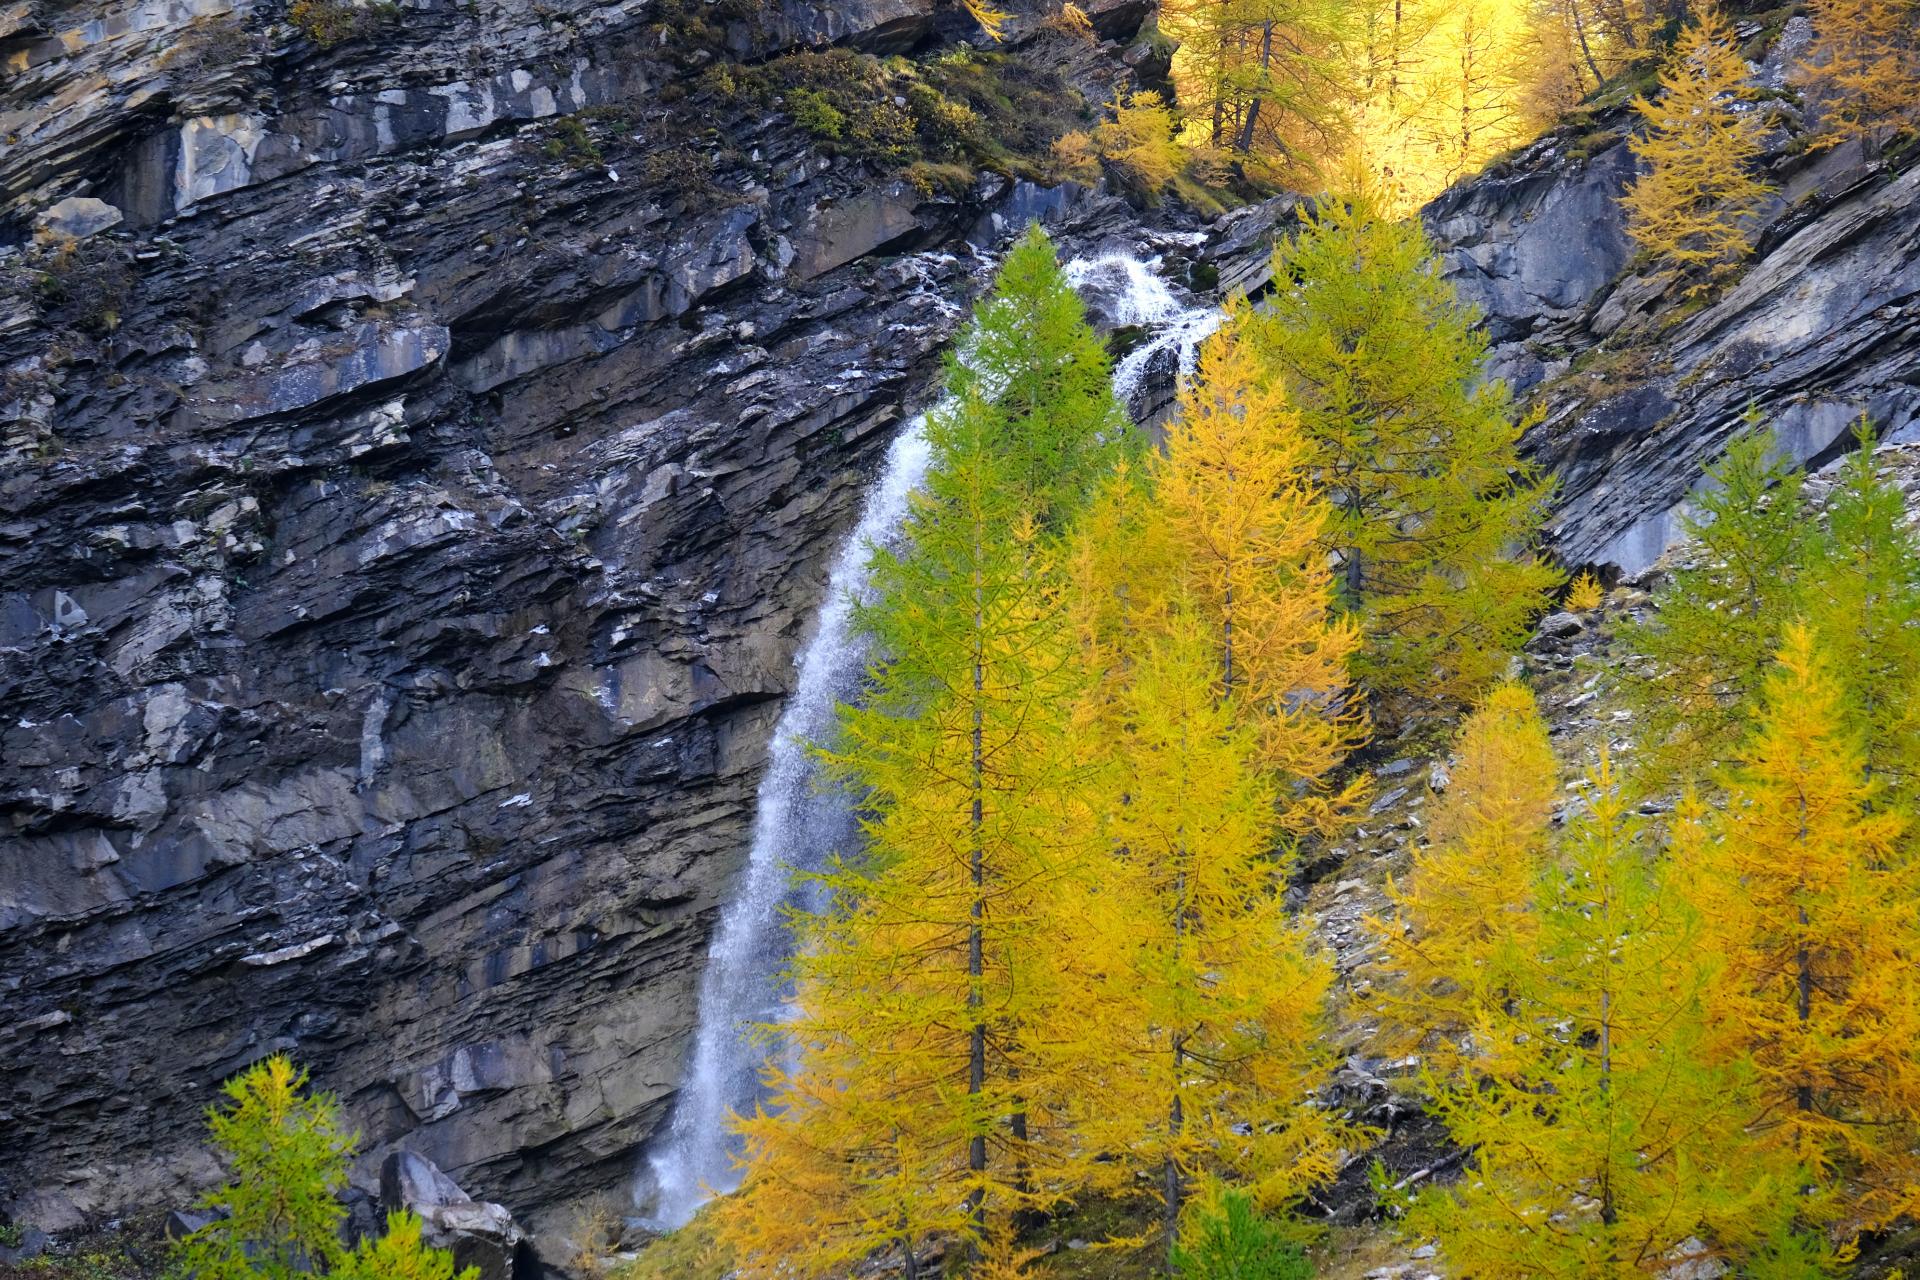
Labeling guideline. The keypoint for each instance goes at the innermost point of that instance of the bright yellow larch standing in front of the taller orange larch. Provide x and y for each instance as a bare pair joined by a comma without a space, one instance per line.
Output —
1209,1026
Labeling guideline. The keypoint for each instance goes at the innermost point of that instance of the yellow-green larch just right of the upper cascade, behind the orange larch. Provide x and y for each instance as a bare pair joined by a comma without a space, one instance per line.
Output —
1416,450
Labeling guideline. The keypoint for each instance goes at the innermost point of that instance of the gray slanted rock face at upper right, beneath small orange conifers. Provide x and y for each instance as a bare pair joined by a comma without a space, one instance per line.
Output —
1641,394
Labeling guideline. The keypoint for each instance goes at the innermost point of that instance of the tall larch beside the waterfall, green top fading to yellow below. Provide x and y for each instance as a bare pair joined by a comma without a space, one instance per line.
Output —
924,1097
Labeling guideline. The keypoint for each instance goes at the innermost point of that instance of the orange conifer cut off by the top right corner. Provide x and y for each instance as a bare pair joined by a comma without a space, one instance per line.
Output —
1865,64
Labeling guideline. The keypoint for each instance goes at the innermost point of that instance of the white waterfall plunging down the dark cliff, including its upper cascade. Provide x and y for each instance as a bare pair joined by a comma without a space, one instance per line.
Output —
800,826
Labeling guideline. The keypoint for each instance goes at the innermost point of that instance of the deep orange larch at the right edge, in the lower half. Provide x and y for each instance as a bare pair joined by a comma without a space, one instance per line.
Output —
1813,901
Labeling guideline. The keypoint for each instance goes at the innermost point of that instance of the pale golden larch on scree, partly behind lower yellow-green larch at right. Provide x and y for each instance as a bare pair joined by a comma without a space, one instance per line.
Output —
1462,926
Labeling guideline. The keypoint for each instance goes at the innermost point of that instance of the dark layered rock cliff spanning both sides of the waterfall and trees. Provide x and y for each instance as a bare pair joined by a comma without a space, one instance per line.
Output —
420,460
